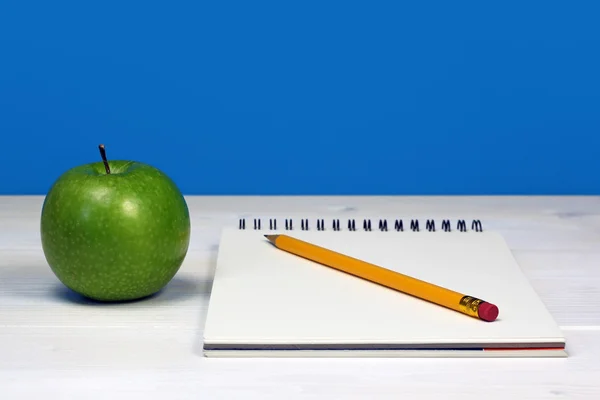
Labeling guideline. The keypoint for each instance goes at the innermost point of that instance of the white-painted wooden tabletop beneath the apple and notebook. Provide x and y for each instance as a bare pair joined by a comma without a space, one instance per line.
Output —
55,345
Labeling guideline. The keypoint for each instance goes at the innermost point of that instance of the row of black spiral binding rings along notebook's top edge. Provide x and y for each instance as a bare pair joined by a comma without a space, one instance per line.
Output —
367,226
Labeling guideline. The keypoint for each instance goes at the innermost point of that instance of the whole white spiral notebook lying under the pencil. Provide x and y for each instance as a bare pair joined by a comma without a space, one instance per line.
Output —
269,303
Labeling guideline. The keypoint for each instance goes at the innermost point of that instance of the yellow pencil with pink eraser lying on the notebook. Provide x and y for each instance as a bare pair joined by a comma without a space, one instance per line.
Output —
462,303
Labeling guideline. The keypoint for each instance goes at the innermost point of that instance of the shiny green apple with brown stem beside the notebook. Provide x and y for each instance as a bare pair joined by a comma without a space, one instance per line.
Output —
115,231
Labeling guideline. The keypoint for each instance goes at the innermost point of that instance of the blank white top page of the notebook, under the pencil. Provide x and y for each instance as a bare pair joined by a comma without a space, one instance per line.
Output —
264,295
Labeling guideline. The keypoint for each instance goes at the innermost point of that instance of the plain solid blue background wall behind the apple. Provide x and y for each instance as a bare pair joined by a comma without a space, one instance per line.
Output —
301,97
